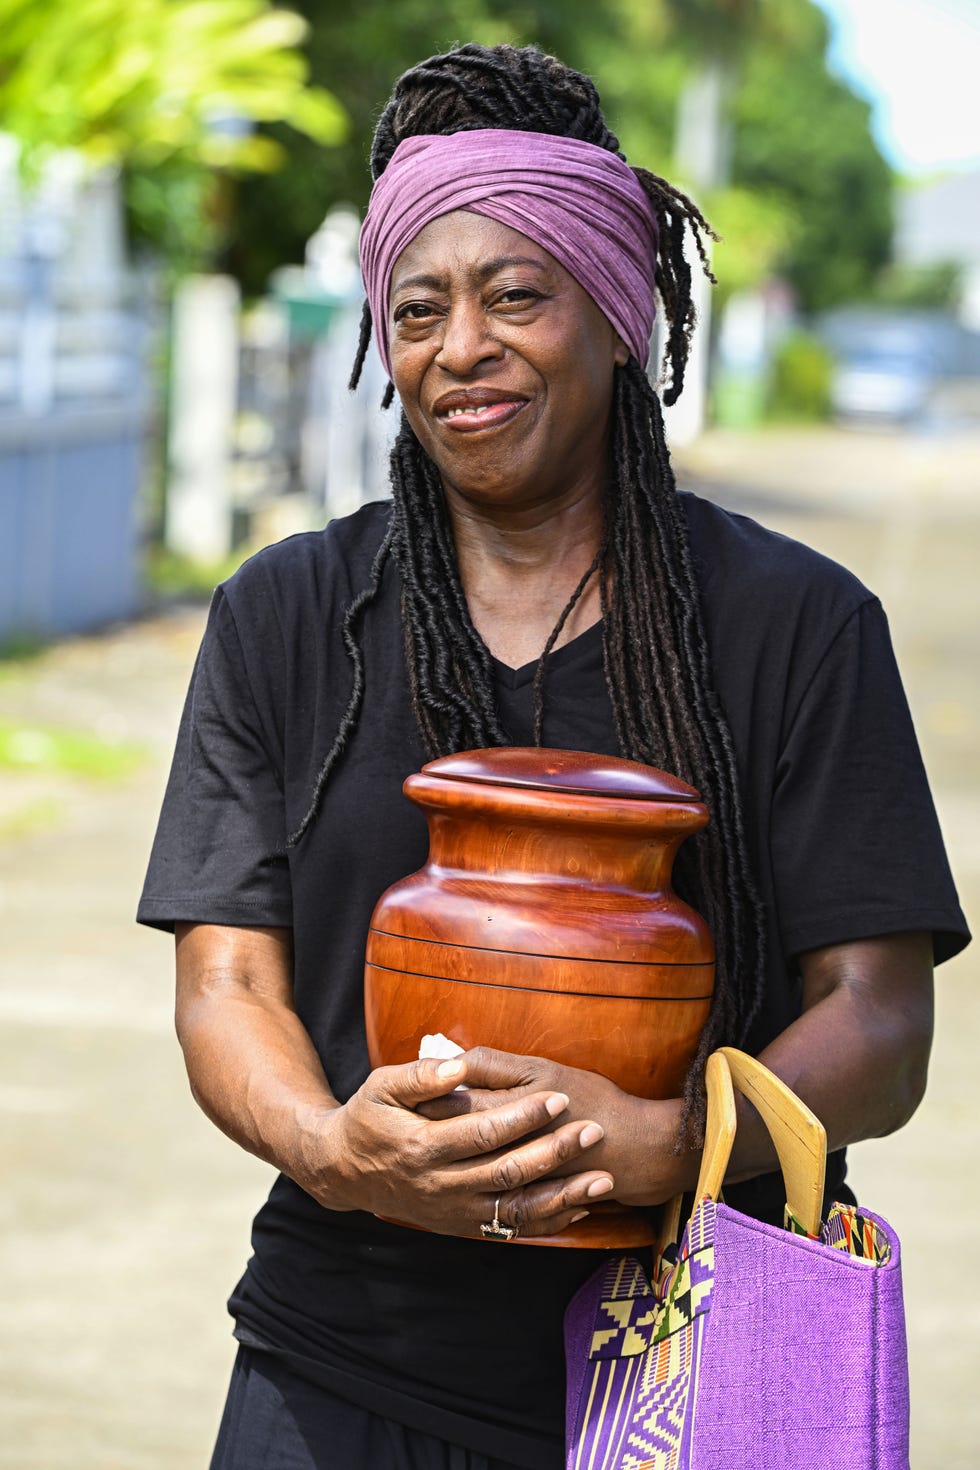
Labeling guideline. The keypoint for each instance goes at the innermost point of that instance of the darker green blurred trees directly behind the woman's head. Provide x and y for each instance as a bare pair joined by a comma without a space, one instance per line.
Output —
809,195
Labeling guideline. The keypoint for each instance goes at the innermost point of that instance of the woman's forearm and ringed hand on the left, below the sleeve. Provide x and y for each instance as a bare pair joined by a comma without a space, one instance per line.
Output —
255,1071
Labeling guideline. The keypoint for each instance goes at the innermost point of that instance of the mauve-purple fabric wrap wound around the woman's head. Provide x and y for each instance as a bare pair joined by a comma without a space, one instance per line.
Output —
578,202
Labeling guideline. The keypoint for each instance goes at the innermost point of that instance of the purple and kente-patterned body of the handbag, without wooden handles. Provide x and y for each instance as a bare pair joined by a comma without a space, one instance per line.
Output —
732,1360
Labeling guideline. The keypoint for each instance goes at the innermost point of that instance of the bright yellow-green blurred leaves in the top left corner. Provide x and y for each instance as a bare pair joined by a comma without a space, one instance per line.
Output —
149,82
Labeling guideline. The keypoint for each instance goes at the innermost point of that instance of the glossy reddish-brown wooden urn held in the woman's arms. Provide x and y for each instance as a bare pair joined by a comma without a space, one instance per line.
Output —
544,924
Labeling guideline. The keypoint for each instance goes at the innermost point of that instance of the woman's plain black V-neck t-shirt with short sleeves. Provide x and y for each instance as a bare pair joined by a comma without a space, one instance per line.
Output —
450,1335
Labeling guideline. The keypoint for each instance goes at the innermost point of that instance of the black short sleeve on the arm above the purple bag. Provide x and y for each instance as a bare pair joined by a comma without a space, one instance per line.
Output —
856,842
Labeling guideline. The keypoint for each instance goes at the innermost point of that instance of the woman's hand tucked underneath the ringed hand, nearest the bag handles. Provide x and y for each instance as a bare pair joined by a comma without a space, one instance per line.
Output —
638,1147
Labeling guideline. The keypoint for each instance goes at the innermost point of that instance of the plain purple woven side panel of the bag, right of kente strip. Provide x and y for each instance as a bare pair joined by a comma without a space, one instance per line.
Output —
826,1377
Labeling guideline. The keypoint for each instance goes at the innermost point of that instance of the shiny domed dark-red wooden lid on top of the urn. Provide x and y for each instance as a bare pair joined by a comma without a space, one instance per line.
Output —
569,771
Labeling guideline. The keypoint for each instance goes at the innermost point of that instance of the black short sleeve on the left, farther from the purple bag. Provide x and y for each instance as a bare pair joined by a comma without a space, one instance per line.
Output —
220,849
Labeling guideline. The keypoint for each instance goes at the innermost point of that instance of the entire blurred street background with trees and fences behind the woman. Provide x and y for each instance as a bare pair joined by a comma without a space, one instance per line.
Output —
181,186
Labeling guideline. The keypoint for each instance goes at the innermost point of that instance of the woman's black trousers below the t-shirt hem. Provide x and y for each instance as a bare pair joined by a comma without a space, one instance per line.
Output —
277,1421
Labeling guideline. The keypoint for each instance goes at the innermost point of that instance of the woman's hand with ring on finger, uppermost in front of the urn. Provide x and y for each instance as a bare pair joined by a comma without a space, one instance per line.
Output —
377,1153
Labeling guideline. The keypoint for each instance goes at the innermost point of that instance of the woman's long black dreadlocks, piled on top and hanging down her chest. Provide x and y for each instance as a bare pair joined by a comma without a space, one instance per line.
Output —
656,656
